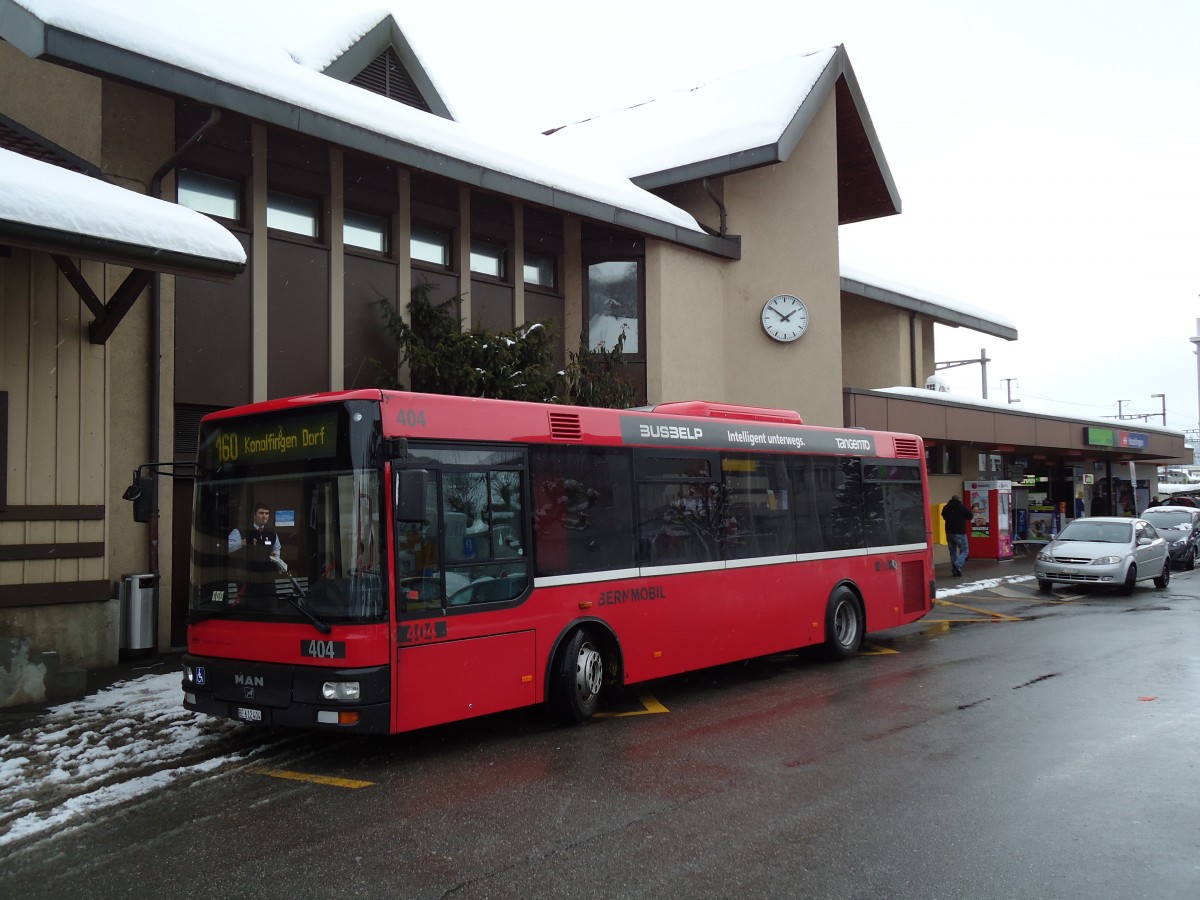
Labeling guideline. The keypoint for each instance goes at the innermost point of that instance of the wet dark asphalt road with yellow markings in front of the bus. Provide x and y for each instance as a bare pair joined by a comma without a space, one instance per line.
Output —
1013,746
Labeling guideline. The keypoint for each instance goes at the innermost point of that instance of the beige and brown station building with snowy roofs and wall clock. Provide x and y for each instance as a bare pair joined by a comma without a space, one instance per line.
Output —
346,179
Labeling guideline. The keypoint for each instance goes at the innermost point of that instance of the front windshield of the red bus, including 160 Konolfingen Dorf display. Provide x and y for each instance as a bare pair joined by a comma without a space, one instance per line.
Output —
284,532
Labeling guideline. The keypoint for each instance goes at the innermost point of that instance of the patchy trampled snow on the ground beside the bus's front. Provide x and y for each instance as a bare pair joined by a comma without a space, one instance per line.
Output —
101,752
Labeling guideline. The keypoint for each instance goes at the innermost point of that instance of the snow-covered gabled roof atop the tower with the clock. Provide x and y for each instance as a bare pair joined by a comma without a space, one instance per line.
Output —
752,118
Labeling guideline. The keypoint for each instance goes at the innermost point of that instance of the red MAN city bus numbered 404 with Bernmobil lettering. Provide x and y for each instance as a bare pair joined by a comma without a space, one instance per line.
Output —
452,557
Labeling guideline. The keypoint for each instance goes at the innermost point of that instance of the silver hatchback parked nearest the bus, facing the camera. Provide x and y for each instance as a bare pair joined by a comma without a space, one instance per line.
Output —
1107,551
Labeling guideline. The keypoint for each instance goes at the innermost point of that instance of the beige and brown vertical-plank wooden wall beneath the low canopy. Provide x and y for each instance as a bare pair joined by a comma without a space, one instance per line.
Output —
52,513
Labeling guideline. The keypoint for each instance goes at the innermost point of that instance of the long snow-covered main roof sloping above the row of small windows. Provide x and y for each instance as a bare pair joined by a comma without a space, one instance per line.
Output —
251,69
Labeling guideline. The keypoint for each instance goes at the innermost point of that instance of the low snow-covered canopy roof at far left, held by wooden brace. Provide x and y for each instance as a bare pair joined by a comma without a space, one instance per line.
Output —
51,208
